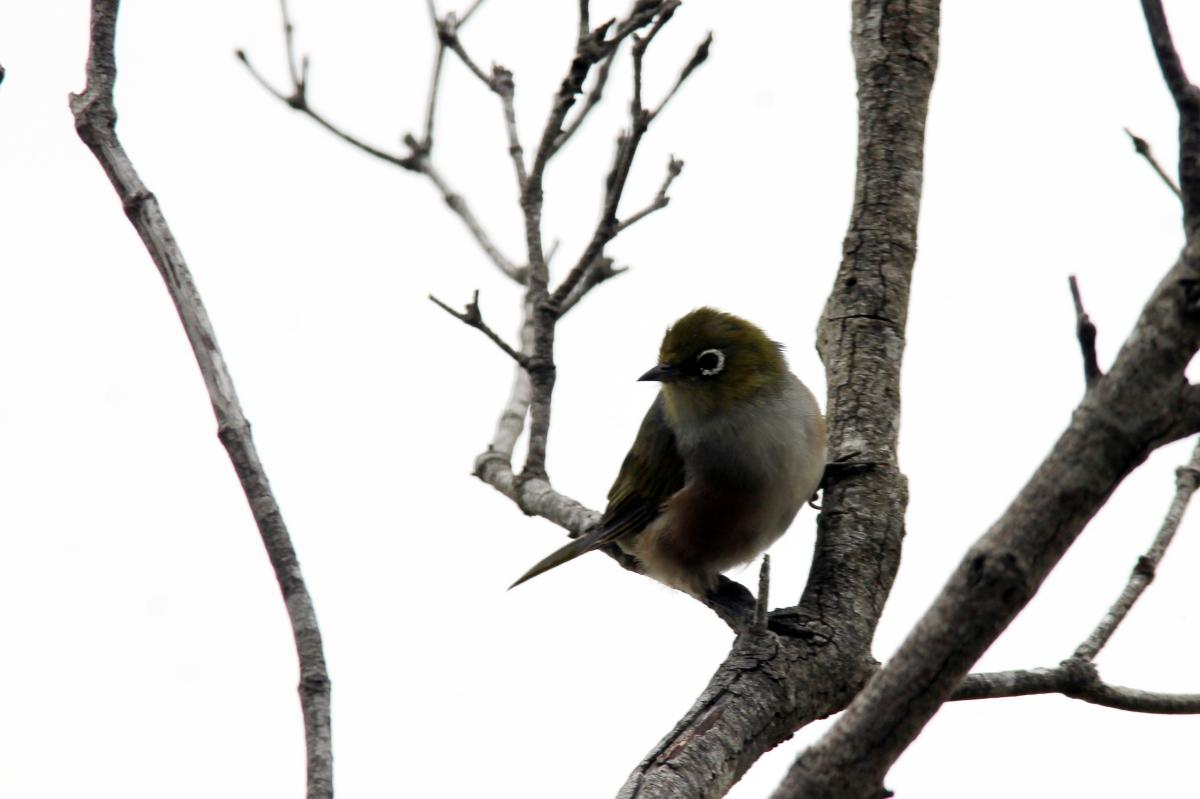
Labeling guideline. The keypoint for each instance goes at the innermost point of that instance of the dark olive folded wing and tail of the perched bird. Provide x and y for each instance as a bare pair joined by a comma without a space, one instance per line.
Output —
651,473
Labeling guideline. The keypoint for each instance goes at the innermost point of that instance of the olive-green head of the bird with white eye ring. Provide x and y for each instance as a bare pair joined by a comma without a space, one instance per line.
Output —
710,362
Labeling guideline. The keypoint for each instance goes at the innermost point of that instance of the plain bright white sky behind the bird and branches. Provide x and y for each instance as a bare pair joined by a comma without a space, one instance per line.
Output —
147,651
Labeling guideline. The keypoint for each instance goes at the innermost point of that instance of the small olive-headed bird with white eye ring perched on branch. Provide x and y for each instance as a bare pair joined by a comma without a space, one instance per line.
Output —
731,448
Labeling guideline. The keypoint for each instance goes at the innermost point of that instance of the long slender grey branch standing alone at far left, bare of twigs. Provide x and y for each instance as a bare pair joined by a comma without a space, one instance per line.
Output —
95,122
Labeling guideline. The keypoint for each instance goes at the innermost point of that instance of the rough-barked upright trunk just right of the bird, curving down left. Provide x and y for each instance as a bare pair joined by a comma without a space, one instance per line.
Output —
818,654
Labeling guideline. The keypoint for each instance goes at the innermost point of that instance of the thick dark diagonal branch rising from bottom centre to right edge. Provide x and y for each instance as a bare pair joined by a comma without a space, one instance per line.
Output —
1127,414
